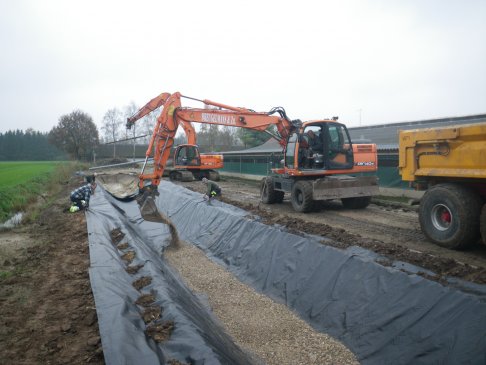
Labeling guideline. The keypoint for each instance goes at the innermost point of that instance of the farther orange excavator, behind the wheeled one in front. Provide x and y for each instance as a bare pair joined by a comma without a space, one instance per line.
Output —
188,163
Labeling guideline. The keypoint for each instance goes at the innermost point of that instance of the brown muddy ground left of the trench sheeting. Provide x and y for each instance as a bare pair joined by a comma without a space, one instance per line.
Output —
47,310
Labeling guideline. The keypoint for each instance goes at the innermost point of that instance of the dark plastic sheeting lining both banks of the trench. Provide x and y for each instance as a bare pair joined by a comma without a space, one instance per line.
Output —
382,314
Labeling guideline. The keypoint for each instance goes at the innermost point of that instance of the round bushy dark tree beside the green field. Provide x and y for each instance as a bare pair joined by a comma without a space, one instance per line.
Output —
76,134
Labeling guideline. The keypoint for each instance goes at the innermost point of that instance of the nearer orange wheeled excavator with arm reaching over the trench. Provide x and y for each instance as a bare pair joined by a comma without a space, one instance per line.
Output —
325,167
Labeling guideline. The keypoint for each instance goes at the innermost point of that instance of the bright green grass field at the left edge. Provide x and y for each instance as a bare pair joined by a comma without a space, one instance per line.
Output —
22,182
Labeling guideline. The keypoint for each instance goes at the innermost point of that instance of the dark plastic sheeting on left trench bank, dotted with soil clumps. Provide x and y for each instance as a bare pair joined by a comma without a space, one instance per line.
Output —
198,338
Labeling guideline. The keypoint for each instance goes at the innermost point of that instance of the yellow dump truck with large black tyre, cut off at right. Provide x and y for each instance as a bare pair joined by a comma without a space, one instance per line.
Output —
450,164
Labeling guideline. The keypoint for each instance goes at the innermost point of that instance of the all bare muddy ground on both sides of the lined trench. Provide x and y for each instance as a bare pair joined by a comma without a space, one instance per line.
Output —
47,310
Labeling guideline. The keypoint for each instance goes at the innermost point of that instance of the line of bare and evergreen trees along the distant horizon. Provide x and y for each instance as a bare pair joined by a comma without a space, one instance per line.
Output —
76,136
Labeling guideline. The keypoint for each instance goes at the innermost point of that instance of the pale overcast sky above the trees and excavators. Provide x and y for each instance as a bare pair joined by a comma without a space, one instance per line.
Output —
374,62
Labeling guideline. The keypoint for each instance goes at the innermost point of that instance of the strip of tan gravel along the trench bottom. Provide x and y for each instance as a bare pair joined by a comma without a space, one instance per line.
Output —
257,324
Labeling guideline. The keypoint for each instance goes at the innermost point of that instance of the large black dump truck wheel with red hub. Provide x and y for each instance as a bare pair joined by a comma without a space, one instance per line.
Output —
449,216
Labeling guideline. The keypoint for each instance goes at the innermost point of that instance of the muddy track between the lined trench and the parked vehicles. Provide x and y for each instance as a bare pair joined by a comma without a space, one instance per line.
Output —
390,229
